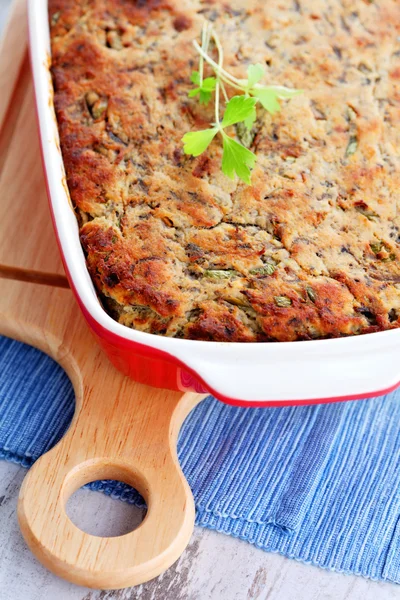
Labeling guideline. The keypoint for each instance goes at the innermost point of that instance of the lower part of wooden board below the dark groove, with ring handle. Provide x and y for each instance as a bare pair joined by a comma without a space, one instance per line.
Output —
121,430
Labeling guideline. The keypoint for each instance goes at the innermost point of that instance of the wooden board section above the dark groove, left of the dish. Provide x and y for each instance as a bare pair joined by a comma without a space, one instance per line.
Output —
27,239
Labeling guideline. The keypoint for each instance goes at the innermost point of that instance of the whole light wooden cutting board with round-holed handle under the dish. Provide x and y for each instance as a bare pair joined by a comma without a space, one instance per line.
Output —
121,429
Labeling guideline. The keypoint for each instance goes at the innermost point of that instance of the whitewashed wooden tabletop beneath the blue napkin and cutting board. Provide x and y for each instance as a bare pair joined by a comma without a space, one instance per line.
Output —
214,566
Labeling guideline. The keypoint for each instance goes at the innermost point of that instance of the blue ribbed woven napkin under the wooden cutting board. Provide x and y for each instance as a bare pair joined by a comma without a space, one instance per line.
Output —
319,484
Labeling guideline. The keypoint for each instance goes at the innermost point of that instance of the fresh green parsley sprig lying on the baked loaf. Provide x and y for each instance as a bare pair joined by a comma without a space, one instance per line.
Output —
236,159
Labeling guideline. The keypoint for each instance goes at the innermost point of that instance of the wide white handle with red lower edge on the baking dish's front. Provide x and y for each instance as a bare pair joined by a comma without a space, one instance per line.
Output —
299,372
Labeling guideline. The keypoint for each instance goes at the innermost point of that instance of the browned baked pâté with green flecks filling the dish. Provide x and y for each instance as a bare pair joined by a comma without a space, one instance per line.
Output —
174,247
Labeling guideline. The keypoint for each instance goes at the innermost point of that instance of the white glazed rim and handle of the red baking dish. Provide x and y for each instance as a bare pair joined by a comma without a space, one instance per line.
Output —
250,372
